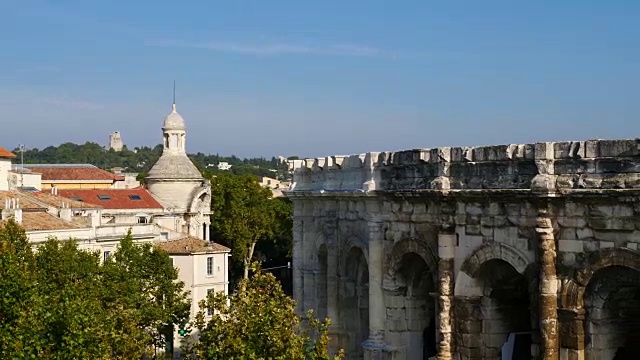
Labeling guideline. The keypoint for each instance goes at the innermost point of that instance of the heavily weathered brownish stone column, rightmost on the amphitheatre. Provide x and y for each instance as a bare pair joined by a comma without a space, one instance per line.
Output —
548,287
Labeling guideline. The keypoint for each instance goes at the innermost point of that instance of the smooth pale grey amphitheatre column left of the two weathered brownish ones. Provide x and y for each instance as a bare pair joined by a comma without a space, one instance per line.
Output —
374,345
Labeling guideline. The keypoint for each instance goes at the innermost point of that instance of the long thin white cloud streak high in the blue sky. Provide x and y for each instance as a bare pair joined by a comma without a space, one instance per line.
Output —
270,49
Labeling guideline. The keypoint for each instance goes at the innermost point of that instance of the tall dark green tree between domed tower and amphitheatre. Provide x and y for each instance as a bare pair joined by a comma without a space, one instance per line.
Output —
243,214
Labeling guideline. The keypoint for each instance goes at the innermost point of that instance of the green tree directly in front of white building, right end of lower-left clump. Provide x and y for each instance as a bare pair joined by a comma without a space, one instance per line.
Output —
140,284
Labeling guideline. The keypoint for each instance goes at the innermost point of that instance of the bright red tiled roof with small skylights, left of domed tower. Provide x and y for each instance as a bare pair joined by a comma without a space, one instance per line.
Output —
136,198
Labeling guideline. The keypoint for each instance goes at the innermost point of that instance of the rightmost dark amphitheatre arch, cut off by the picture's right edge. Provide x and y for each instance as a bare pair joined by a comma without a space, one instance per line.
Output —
612,322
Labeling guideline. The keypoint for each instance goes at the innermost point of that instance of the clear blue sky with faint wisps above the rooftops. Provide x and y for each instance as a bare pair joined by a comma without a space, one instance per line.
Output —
263,78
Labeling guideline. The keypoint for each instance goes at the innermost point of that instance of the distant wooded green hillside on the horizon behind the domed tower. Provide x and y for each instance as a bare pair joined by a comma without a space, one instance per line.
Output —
140,159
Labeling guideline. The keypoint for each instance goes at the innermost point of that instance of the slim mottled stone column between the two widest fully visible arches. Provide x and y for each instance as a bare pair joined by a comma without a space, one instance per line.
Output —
446,251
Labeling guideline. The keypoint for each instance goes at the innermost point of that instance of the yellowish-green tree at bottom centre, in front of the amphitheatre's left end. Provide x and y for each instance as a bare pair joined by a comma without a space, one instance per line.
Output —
258,321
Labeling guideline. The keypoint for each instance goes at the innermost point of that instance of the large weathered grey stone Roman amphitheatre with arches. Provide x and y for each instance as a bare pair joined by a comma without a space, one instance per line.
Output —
523,251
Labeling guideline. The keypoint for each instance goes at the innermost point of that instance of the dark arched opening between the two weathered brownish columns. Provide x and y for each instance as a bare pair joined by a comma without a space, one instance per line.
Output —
506,311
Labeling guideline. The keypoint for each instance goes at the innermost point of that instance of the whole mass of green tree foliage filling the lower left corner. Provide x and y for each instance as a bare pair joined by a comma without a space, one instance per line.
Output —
63,303
